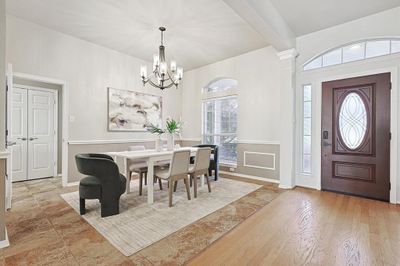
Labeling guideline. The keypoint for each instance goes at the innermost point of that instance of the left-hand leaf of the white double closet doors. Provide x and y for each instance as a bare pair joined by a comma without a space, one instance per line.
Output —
19,133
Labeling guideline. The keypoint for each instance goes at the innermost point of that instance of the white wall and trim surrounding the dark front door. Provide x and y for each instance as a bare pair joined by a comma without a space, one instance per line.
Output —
384,24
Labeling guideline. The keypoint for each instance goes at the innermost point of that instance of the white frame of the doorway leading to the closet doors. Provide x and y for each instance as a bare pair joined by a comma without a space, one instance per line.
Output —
65,110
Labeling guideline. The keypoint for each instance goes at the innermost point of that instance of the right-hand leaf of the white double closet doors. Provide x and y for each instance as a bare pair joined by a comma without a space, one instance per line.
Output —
41,133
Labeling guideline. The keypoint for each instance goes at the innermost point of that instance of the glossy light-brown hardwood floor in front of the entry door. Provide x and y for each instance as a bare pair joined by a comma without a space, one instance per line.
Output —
307,227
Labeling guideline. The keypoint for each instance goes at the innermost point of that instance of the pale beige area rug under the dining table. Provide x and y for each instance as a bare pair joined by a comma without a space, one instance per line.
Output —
139,224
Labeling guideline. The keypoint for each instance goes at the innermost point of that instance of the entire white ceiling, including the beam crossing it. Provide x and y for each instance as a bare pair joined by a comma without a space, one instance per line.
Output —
199,32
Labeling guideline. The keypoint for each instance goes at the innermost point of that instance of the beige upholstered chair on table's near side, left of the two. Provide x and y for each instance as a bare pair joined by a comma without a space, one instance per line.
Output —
178,169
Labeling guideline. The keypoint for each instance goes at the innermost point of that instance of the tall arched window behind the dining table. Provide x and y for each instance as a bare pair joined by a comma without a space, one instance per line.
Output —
220,119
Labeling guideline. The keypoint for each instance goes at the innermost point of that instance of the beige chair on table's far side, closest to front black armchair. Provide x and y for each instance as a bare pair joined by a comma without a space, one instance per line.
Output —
139,167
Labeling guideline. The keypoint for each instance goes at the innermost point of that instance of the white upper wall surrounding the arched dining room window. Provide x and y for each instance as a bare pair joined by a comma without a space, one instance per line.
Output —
257,73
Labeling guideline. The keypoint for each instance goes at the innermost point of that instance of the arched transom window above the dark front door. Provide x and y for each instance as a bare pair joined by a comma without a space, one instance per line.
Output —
354,52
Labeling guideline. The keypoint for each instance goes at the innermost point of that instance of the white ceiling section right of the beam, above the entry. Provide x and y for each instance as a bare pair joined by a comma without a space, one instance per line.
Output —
307,16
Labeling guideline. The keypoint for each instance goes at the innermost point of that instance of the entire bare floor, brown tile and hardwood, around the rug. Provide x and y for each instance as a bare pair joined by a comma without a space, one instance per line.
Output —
298,227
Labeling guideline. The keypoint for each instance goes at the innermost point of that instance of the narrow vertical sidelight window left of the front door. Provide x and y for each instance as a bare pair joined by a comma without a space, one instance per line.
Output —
306,149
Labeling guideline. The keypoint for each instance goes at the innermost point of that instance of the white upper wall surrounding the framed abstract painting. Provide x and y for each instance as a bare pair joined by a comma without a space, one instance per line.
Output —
88,70
